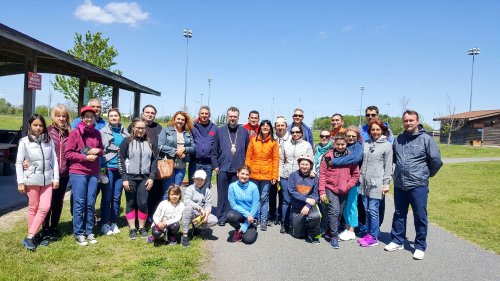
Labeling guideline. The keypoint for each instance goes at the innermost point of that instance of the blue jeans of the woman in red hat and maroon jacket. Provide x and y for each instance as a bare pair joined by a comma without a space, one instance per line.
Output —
84,196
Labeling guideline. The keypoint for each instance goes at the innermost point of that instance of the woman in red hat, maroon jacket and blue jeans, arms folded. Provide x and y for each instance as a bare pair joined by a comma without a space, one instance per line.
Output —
83,149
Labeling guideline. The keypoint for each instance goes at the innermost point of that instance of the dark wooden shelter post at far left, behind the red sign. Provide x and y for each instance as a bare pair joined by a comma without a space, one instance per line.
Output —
30,65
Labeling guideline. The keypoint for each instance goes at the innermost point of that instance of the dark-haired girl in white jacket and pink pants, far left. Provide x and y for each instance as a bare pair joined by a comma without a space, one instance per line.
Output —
41,176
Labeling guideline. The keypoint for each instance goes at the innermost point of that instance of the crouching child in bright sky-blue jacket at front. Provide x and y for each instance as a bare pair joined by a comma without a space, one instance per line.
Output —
244,199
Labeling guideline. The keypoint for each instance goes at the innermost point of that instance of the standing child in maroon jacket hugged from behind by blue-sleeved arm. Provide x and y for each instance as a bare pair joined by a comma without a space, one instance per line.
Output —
335,183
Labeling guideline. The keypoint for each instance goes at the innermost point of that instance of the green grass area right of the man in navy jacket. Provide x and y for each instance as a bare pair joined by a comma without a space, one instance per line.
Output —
465,199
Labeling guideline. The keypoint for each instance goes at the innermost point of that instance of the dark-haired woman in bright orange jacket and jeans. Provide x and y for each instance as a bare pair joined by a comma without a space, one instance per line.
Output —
263,158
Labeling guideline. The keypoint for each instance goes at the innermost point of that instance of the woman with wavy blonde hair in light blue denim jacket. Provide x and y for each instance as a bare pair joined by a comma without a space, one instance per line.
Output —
176,142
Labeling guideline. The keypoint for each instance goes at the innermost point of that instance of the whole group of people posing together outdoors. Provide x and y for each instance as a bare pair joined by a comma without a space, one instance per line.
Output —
266,173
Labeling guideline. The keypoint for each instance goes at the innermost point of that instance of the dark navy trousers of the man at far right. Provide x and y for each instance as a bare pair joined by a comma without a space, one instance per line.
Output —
417,198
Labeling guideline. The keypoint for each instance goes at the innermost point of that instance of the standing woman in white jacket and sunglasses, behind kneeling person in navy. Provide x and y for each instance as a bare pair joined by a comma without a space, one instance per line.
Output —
290,154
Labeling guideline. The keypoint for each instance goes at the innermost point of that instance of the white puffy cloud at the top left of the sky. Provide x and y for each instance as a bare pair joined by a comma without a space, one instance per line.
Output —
113,12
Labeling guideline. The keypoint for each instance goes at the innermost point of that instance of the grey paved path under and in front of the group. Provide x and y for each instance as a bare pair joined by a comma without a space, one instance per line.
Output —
276,256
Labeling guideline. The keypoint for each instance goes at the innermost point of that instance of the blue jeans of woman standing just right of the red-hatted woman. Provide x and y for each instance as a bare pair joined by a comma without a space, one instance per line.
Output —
111,197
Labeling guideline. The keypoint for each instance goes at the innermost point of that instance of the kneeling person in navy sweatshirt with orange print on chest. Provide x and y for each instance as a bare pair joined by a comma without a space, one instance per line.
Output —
303,189
